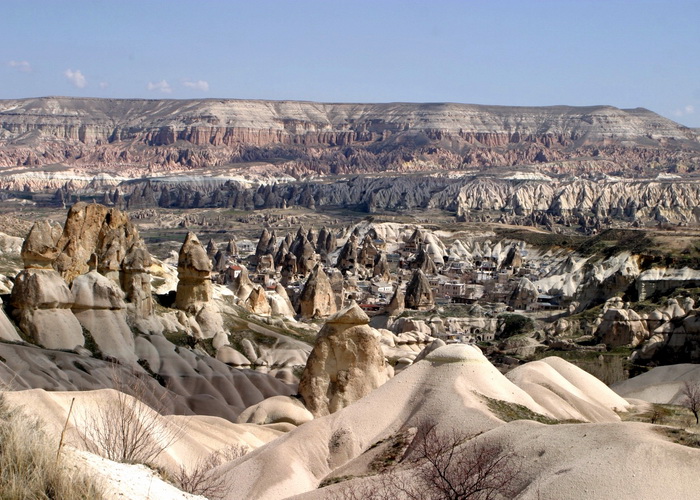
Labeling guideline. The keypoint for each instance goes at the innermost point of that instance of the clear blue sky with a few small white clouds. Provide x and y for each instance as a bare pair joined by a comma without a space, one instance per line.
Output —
629,54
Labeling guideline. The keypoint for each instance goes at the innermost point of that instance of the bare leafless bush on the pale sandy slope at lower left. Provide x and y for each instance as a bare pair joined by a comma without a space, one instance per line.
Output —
126,429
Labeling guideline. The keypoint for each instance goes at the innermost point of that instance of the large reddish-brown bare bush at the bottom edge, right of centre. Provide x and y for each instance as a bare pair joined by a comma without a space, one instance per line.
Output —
445,465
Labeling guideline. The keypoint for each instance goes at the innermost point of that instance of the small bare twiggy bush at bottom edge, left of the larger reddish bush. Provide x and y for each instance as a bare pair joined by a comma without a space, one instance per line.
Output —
201,479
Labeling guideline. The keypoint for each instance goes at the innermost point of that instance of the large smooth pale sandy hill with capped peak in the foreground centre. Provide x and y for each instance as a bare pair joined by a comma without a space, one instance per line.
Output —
447,387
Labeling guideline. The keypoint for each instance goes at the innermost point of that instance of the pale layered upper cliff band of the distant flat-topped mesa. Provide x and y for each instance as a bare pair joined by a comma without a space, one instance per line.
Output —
230,122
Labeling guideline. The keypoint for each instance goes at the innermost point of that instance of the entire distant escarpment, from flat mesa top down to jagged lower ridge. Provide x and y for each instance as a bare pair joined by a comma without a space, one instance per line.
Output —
519,165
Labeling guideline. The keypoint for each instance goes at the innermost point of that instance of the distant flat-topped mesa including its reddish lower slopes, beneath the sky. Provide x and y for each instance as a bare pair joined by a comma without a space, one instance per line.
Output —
303,137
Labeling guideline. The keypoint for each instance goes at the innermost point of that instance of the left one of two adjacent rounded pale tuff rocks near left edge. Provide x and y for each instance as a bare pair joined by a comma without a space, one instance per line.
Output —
42,302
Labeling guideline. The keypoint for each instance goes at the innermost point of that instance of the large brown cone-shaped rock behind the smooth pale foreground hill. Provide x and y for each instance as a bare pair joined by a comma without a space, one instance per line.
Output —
346,363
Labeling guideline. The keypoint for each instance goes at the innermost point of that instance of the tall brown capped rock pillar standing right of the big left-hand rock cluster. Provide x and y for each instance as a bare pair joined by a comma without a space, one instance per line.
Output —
194,275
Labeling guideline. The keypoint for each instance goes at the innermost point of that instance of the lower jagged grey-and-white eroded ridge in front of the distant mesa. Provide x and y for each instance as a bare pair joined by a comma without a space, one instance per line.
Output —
520,198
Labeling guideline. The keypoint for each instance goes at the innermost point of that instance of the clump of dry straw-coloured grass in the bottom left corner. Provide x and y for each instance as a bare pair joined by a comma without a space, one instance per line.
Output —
29,467
